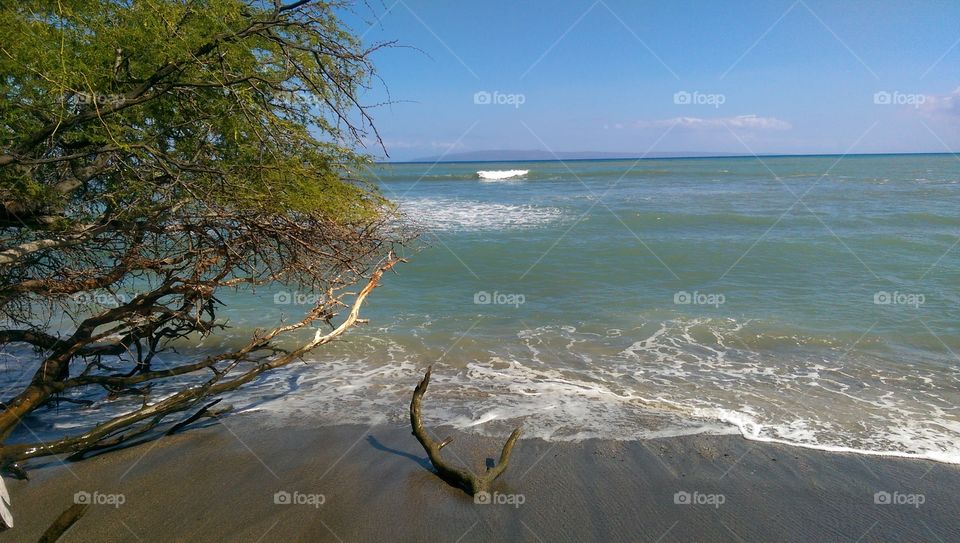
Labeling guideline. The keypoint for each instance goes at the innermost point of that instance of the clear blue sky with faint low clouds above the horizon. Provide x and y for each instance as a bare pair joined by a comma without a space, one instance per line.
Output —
632,77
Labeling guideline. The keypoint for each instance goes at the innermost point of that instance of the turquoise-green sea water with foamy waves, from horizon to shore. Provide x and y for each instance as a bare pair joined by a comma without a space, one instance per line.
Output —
806,300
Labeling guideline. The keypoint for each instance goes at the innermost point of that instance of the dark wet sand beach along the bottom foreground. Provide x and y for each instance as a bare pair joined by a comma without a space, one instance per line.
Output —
218,484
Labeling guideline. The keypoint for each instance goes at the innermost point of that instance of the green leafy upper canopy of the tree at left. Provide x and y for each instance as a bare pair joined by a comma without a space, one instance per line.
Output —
247,119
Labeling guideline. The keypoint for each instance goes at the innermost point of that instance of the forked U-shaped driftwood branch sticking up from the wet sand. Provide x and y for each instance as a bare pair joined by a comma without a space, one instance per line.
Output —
459,478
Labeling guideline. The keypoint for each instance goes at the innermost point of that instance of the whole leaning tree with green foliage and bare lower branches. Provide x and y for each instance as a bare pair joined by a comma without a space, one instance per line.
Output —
154,154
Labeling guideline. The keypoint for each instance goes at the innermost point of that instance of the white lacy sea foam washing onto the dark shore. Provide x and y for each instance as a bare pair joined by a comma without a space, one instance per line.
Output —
682,377
